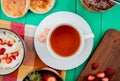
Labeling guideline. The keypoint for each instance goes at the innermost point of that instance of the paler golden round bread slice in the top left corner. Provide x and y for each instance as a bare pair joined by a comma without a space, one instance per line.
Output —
15,8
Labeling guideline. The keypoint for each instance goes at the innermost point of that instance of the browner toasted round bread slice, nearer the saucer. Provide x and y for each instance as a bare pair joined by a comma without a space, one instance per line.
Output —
41,6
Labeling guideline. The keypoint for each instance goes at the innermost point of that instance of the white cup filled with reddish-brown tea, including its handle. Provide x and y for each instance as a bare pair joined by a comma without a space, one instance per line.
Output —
66,41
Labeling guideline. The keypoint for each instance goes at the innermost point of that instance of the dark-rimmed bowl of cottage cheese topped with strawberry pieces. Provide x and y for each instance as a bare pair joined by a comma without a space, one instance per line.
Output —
12,51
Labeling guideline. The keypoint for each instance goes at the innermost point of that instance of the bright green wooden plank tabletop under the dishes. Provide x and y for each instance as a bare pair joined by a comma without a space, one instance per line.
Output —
99,22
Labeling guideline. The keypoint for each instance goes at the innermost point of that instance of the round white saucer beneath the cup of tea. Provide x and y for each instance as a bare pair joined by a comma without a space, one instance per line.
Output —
41,48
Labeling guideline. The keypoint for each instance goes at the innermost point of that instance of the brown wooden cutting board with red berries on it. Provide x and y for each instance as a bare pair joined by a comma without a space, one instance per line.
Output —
107,55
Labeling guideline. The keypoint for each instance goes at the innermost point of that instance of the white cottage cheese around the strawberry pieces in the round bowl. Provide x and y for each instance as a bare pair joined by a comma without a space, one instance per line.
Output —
17,46
